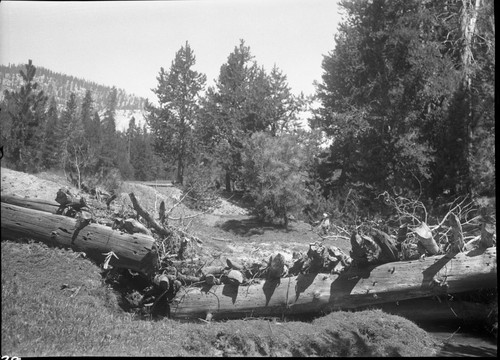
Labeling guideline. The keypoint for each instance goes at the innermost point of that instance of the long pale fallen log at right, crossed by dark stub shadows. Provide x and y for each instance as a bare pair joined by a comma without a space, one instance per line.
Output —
314,293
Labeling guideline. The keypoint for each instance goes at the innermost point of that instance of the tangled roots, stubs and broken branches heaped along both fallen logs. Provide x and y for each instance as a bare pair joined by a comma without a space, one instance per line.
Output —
181,262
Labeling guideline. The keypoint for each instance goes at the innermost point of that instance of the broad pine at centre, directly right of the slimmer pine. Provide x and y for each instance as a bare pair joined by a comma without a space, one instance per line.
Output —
244,100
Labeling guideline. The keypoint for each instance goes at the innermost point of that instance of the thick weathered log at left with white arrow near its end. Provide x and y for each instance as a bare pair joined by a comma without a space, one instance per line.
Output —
133,251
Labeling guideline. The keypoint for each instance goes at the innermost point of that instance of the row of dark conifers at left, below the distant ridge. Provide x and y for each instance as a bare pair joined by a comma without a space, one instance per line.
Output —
86,146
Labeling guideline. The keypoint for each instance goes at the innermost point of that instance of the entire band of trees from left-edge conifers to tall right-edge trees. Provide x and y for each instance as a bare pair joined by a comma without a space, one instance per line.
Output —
406,103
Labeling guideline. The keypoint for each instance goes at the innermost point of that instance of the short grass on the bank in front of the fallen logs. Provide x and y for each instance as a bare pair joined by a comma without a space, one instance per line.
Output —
55,303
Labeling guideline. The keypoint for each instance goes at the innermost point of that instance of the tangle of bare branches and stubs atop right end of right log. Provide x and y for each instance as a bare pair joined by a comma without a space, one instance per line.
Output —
466,224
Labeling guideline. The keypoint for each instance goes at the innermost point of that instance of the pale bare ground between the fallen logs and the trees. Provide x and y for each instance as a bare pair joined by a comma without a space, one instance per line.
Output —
227,231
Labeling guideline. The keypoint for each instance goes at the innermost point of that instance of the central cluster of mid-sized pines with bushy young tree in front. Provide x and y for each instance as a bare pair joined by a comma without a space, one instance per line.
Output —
223,132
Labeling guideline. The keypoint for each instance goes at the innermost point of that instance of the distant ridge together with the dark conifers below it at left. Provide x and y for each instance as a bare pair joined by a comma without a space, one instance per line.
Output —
93,132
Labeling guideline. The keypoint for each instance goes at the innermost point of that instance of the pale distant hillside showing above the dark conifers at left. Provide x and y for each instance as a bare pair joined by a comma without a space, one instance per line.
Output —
60,86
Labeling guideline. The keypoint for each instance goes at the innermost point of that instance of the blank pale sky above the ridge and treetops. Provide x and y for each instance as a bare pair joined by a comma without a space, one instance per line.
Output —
124,43
